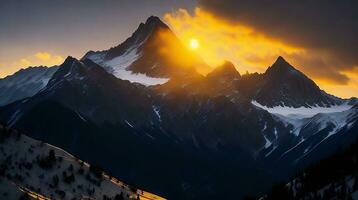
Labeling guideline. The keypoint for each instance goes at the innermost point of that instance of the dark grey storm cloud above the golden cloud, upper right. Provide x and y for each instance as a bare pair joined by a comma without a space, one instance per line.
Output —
327,28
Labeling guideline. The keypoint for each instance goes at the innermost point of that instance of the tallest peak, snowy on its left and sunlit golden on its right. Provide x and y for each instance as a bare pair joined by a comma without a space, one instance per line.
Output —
149,56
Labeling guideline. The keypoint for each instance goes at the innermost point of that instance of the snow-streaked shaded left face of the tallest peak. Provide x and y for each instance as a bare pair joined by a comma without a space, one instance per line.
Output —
118,60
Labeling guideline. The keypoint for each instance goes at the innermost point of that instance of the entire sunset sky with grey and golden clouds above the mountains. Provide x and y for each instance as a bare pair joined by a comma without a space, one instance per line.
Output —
250,34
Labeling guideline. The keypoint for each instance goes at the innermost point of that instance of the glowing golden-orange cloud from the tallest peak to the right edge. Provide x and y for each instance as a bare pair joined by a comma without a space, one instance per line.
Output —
253,51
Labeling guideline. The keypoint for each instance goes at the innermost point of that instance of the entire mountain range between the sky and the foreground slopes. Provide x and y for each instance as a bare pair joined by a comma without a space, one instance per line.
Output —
175,127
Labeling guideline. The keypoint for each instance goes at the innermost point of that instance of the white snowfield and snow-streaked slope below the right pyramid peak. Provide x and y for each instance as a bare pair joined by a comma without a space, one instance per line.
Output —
311,127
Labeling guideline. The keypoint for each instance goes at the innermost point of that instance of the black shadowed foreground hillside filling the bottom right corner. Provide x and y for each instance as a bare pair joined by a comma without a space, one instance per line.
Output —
334,177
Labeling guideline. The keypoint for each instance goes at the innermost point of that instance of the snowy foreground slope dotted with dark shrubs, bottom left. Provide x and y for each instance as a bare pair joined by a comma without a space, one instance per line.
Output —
40,170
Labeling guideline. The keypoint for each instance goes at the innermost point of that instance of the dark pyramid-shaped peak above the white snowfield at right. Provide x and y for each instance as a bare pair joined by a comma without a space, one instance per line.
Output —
283,85
